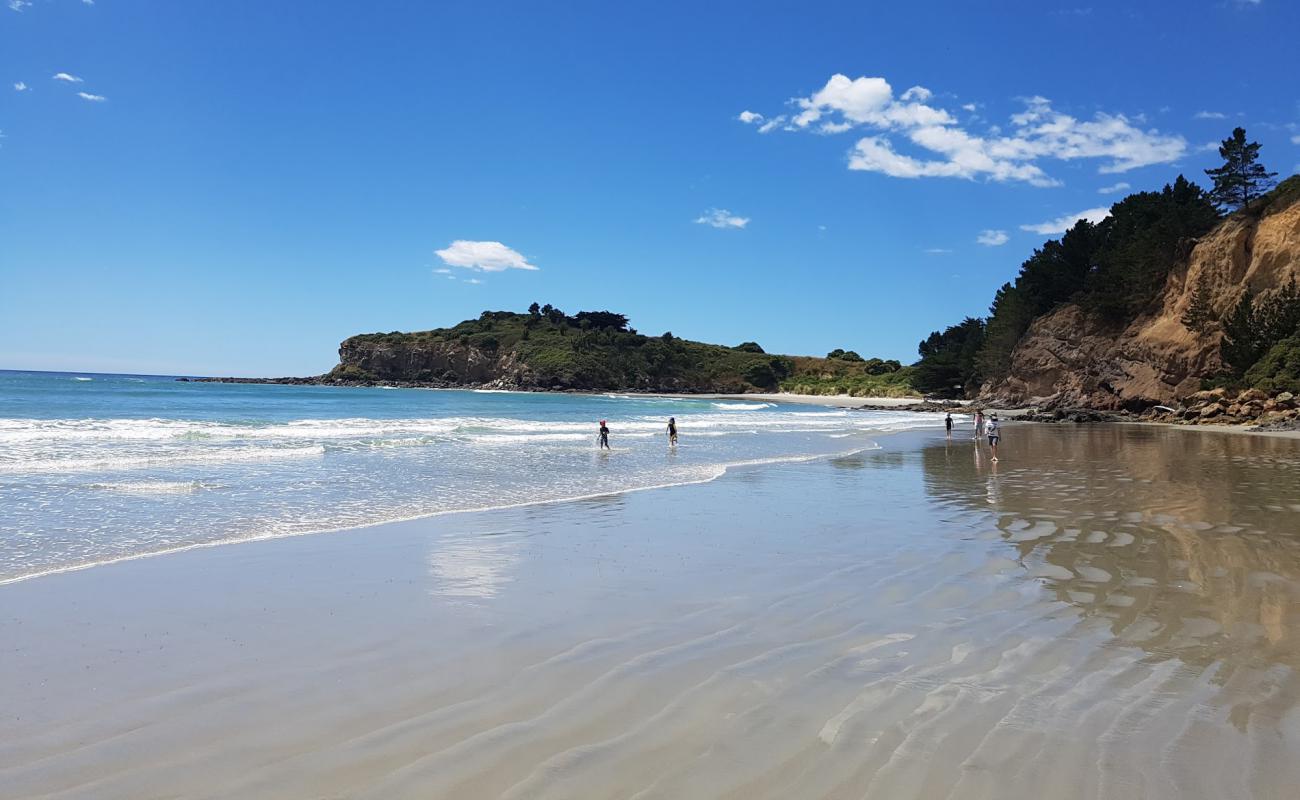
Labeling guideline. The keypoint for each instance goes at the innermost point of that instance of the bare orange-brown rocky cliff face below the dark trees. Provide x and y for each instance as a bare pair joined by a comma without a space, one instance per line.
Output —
1073,358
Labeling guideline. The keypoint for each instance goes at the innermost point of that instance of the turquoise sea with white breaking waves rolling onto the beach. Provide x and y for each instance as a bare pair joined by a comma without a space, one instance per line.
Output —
102,468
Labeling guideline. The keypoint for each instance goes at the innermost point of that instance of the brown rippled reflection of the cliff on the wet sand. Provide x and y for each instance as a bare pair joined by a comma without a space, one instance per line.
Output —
1186,546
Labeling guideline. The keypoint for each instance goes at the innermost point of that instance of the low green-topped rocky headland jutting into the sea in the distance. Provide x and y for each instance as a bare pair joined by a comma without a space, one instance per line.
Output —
599,351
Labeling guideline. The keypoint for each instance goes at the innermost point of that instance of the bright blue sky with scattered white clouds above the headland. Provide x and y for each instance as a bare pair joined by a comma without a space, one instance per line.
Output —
233,188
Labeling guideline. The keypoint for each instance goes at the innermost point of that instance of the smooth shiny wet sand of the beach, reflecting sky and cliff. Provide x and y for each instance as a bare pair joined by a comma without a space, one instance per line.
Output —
1112,612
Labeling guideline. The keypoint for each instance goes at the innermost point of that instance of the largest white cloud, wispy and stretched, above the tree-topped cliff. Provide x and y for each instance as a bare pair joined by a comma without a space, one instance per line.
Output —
943,149
